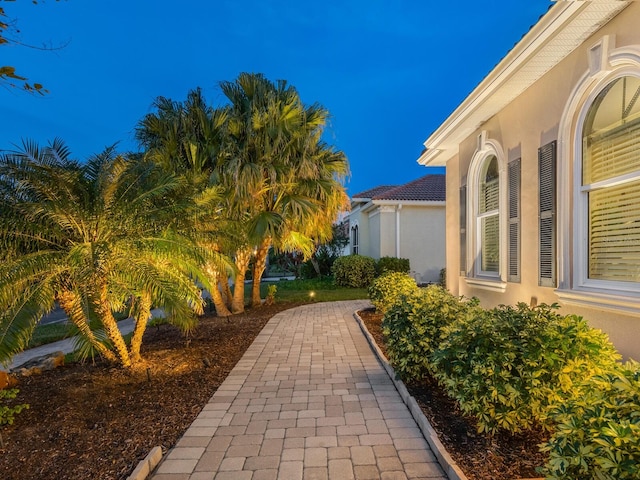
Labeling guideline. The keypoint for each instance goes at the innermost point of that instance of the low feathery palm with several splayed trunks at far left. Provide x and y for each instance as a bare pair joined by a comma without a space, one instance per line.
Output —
97,237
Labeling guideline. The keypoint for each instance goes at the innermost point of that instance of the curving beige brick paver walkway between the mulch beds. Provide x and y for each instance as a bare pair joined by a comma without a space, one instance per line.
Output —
308,400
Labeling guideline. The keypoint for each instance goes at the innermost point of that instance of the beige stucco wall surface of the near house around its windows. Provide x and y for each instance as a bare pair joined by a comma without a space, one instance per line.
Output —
530,121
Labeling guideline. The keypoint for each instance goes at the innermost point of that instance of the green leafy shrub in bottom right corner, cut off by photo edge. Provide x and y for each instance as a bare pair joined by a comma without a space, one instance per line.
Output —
598,435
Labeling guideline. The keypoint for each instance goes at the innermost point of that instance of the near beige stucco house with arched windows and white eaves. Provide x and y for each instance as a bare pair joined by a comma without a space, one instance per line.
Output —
543,171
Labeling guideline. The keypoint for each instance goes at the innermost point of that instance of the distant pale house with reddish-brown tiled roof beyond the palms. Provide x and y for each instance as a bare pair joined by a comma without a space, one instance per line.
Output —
405,221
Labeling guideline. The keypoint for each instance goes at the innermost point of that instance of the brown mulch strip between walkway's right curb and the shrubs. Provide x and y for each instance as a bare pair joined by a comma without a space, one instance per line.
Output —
503,457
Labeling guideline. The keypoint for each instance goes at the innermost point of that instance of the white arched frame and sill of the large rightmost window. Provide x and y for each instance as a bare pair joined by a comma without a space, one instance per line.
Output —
574,286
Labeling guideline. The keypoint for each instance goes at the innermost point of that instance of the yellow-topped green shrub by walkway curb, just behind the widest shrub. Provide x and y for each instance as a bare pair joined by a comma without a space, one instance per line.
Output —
413,327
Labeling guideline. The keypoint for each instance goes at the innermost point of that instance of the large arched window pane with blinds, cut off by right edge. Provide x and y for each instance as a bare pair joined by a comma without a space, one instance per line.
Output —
610,185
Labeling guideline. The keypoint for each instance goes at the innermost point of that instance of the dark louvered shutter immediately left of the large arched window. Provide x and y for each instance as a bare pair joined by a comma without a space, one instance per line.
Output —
547,214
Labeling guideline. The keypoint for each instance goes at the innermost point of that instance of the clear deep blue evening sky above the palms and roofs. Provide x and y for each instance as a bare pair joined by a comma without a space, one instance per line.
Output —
388,71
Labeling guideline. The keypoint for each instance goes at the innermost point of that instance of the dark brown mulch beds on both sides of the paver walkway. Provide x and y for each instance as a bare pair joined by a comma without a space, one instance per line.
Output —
96,421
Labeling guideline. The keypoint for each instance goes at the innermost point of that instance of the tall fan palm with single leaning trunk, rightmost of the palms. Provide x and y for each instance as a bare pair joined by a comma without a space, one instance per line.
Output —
285,176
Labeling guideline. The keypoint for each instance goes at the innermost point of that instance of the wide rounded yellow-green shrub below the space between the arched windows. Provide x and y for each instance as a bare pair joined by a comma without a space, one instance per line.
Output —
509,365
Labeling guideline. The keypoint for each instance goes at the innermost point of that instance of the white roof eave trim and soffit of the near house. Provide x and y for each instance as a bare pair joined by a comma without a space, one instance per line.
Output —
560,31
